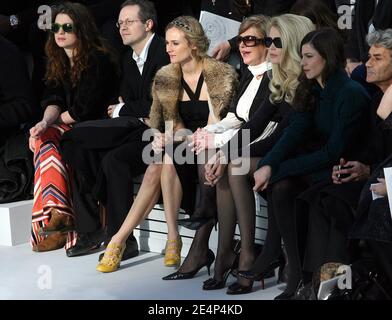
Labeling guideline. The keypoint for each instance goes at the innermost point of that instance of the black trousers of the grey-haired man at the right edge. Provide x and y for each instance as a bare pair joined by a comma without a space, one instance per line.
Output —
330,211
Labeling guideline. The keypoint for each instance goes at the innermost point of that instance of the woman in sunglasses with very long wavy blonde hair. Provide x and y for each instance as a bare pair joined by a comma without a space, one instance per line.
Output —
235,195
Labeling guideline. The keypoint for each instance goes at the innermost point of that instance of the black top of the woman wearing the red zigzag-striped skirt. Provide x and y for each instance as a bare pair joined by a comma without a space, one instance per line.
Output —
95,91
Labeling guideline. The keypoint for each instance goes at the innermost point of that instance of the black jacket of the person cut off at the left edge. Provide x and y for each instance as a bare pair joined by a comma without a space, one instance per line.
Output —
16,98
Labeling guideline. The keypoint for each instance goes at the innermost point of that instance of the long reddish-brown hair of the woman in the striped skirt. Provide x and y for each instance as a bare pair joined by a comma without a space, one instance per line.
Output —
88,40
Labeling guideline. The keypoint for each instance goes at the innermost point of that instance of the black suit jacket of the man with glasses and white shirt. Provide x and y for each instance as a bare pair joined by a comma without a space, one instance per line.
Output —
136,88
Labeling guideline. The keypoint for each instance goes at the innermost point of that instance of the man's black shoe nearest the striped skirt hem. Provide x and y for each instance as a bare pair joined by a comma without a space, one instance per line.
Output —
86,243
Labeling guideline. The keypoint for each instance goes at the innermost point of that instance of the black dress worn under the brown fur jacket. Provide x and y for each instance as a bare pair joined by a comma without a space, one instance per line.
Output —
194,114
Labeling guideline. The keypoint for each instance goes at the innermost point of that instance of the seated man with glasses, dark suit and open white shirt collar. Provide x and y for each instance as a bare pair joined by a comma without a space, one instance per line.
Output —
107,154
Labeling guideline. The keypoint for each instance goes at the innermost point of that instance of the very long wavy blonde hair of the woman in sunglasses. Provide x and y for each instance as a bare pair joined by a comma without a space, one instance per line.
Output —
284,82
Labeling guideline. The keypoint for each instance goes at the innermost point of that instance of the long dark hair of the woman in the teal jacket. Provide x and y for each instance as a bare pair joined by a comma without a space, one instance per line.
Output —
329,44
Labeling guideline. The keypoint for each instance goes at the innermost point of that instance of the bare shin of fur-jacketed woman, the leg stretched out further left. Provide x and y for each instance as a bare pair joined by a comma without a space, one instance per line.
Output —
145,201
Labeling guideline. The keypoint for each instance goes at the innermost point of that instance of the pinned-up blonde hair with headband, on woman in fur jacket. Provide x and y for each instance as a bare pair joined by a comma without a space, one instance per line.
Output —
194,34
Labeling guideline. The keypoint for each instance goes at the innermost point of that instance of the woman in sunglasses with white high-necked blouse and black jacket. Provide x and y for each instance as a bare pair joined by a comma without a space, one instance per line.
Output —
252,92
